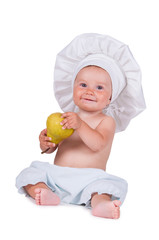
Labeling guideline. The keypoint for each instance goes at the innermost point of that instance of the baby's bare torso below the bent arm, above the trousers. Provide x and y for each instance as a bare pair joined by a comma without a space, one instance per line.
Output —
74,153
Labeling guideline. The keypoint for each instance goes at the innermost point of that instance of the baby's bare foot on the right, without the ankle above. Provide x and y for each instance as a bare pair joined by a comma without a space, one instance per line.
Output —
107,209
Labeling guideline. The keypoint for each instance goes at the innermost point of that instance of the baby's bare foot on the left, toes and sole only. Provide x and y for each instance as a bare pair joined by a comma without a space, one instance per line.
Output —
46,197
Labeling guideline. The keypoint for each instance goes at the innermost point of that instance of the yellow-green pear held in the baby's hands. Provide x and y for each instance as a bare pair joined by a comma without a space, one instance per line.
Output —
54,128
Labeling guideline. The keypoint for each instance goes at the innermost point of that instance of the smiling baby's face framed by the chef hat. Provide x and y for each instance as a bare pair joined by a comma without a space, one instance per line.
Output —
92,89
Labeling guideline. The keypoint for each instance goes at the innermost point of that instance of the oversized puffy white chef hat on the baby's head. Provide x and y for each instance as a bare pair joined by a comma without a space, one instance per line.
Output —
113,56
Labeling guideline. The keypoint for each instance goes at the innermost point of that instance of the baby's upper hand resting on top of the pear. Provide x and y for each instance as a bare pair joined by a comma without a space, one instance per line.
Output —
72,120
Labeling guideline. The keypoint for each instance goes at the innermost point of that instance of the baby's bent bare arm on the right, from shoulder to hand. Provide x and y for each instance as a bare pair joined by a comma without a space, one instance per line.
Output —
95,139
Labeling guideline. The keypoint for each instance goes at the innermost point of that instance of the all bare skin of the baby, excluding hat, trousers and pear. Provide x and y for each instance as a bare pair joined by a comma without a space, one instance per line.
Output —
90,145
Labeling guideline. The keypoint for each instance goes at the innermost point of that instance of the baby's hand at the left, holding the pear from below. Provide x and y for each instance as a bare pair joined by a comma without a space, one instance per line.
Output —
45,141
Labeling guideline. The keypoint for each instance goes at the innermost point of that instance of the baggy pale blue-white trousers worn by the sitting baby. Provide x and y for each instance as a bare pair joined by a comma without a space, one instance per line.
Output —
73,185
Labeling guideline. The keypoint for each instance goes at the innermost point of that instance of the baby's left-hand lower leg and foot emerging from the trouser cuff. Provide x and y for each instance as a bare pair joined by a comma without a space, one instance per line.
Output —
42,194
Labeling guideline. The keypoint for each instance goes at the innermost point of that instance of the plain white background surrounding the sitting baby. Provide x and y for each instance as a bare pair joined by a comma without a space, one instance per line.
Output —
32,33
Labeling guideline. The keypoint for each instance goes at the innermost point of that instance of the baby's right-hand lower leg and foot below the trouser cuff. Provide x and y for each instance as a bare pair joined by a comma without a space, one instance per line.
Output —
102,206
